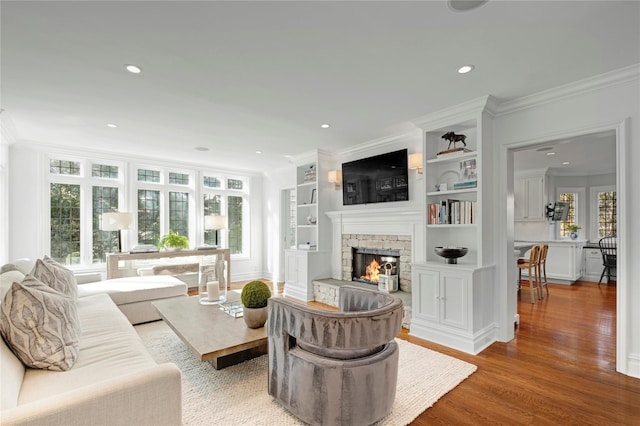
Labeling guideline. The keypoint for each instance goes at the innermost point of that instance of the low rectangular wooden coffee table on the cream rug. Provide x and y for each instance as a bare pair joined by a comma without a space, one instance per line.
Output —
210,333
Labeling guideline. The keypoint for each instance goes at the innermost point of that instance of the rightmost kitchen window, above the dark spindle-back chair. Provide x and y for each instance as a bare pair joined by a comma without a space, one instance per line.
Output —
604,212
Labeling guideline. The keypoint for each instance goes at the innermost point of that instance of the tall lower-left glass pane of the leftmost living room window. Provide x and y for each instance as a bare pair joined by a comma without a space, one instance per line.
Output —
65,223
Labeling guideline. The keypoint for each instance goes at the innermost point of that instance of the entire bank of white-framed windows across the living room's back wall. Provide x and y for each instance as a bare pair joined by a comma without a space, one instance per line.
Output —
162,198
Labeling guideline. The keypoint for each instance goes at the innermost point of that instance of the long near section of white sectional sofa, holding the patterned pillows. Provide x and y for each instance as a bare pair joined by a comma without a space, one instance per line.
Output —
114,380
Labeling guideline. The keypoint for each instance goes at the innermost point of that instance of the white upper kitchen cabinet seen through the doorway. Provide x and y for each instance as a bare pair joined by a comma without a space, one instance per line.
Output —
530,196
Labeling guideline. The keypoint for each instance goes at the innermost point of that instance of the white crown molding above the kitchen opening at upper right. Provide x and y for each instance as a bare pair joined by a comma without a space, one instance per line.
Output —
612,78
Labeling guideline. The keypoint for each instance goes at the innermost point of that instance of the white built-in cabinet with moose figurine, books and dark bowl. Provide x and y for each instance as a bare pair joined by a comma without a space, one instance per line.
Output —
453,303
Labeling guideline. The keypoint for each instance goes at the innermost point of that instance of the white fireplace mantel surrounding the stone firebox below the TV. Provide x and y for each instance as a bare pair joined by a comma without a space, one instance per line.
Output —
376,221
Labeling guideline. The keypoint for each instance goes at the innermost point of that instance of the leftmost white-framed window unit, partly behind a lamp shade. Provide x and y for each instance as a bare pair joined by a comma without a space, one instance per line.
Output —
80,190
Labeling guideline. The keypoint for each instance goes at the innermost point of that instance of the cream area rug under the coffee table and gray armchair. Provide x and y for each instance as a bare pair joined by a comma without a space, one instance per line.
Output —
238,394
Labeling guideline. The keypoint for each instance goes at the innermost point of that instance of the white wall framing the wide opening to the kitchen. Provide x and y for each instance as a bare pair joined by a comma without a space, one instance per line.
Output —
583,107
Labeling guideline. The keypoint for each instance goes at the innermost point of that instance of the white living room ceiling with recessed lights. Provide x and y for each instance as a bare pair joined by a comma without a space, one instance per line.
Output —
237,77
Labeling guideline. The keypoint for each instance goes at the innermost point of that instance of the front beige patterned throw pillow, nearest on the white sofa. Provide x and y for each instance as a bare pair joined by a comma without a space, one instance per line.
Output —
40,325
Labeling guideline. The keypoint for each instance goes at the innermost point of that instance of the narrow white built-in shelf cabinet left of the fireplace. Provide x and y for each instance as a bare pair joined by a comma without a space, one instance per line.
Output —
310,259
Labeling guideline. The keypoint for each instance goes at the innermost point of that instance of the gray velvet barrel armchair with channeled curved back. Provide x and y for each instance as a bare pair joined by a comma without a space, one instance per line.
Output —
335,367
